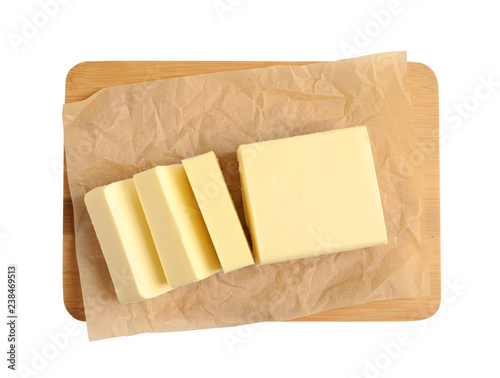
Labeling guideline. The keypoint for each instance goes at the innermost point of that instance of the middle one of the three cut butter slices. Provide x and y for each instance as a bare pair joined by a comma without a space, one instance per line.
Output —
179,232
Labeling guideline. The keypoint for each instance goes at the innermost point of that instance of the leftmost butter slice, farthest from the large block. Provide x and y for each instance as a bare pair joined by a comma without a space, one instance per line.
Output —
126,242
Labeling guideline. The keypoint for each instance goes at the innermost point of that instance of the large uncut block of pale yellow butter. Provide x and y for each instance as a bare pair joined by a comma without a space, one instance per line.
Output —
310,195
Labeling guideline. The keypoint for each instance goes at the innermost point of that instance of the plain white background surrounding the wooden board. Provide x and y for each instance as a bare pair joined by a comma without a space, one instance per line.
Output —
457,39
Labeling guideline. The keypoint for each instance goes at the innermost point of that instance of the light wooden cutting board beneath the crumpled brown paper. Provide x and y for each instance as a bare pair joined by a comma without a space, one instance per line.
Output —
86,78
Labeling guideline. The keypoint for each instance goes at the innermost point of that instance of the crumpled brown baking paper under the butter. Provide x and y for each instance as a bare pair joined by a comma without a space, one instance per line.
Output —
122,130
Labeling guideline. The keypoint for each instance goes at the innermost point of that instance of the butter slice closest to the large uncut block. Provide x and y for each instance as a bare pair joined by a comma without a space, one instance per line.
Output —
219,213
